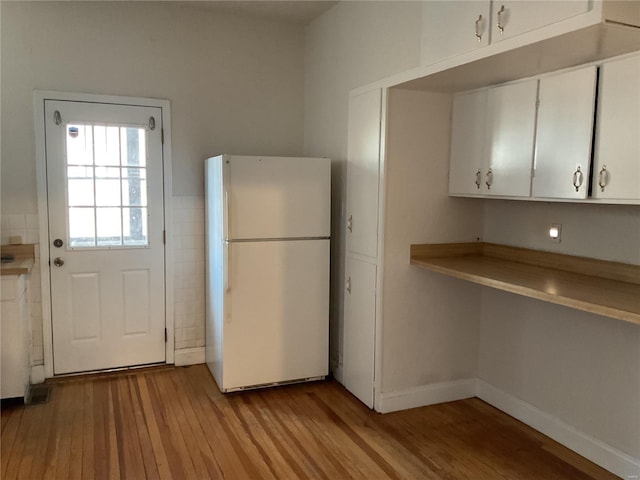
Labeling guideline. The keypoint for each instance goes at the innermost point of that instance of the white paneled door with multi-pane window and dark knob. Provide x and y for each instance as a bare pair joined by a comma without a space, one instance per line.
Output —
106,223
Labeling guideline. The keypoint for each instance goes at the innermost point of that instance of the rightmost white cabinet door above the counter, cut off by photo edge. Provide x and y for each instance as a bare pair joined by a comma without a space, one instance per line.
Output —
617,153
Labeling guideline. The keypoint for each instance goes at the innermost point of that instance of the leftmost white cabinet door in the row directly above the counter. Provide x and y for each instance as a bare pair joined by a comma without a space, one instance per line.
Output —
467,143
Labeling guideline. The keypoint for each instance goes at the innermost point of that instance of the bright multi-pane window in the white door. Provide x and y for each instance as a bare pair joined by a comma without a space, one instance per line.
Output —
106,176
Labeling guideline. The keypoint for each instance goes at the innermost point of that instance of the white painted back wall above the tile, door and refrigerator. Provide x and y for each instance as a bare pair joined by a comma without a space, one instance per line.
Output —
235,84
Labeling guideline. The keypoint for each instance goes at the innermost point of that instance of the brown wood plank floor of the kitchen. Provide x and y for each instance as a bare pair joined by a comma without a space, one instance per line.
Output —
174,423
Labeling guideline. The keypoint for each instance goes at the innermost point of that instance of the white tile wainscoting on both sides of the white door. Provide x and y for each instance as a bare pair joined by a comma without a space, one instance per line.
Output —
189,274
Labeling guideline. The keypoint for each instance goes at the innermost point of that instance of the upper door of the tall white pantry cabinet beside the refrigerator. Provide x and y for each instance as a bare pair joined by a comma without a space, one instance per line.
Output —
363,155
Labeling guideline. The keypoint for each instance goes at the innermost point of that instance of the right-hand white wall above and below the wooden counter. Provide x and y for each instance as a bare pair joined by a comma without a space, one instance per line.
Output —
581,368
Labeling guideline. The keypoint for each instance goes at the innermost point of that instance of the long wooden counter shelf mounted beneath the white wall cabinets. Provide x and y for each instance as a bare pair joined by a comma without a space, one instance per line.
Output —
597,286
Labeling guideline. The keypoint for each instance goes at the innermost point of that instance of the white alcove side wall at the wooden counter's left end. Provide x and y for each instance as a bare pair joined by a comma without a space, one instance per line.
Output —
430,322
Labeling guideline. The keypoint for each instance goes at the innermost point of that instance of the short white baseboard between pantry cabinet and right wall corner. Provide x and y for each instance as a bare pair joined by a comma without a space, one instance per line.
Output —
427,395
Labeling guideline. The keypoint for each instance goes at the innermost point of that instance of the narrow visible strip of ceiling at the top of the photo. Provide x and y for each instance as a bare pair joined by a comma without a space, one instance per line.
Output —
300,12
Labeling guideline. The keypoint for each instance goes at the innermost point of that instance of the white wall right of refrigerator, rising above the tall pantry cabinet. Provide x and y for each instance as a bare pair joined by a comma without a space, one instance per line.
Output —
352,44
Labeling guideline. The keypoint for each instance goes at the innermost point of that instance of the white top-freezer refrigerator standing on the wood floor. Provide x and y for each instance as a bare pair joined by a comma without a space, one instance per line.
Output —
267,269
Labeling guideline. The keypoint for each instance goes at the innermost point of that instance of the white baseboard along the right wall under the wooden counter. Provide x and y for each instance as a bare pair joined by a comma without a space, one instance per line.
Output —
589,447
